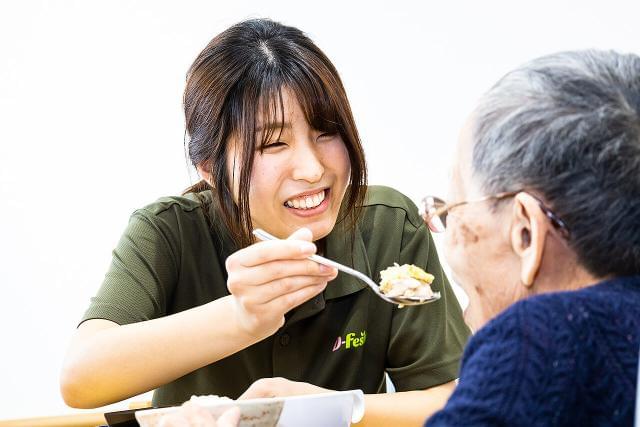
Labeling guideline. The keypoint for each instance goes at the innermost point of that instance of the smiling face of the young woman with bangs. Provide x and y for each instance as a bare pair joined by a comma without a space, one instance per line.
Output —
299,179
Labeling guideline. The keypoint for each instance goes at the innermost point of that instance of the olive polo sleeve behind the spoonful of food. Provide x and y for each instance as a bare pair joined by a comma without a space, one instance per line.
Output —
426,341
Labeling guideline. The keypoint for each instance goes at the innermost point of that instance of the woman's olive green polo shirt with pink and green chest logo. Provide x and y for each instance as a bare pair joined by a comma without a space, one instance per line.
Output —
170,259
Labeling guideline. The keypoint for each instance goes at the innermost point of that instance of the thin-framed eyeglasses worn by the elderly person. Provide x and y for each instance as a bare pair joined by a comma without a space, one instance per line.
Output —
435,211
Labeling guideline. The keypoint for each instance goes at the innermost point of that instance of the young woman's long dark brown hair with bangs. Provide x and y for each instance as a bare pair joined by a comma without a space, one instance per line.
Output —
237,79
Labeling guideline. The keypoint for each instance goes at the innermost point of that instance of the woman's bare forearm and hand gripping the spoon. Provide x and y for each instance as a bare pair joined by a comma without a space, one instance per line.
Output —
107,362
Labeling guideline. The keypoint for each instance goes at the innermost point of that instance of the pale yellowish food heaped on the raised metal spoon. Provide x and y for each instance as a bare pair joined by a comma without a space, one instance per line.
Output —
406,281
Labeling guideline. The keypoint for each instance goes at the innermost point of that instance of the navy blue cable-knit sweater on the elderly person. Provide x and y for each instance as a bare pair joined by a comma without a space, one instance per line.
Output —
559,359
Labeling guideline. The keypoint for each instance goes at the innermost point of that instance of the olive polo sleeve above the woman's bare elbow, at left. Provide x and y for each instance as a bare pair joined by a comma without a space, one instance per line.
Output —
142,274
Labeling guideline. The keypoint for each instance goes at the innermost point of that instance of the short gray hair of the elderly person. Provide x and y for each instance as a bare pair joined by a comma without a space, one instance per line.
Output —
567,128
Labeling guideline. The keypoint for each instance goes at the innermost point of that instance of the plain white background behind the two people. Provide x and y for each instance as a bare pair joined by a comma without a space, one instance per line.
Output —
91,125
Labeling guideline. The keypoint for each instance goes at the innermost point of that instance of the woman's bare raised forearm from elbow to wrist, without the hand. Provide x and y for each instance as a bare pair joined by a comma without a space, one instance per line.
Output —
107,362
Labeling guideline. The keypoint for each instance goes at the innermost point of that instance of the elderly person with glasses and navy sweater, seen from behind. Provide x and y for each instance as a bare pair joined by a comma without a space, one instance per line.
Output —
543,232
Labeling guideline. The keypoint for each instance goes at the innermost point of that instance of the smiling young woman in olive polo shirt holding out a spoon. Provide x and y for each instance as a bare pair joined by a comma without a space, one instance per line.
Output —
193,305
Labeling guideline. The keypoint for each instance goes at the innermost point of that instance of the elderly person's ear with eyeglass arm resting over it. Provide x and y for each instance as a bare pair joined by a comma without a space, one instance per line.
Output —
528,234
